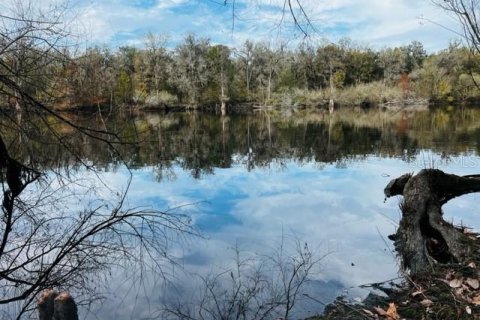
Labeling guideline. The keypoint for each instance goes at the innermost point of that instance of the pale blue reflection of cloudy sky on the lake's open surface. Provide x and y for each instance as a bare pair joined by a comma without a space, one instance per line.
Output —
336,210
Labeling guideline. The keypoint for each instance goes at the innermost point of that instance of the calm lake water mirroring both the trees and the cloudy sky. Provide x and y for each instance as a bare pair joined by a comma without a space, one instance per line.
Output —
255,183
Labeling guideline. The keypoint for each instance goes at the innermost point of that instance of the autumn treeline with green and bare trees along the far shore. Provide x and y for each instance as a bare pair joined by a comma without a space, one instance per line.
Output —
199,73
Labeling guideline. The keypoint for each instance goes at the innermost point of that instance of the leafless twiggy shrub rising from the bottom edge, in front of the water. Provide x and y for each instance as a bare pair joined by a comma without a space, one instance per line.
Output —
256,287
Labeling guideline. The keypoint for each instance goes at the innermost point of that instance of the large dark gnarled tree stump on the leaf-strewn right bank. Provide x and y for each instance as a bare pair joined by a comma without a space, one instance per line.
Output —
424,238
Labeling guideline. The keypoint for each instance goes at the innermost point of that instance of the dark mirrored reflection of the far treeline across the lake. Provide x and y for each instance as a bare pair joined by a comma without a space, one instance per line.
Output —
199,143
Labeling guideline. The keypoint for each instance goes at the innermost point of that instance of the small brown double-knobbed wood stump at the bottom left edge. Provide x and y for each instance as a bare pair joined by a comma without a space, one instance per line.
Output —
56,306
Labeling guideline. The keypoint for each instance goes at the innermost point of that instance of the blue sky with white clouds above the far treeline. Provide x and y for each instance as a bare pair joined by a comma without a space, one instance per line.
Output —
376,23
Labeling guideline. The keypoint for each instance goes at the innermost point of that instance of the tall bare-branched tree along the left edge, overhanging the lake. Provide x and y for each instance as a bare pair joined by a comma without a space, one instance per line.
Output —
54,232
